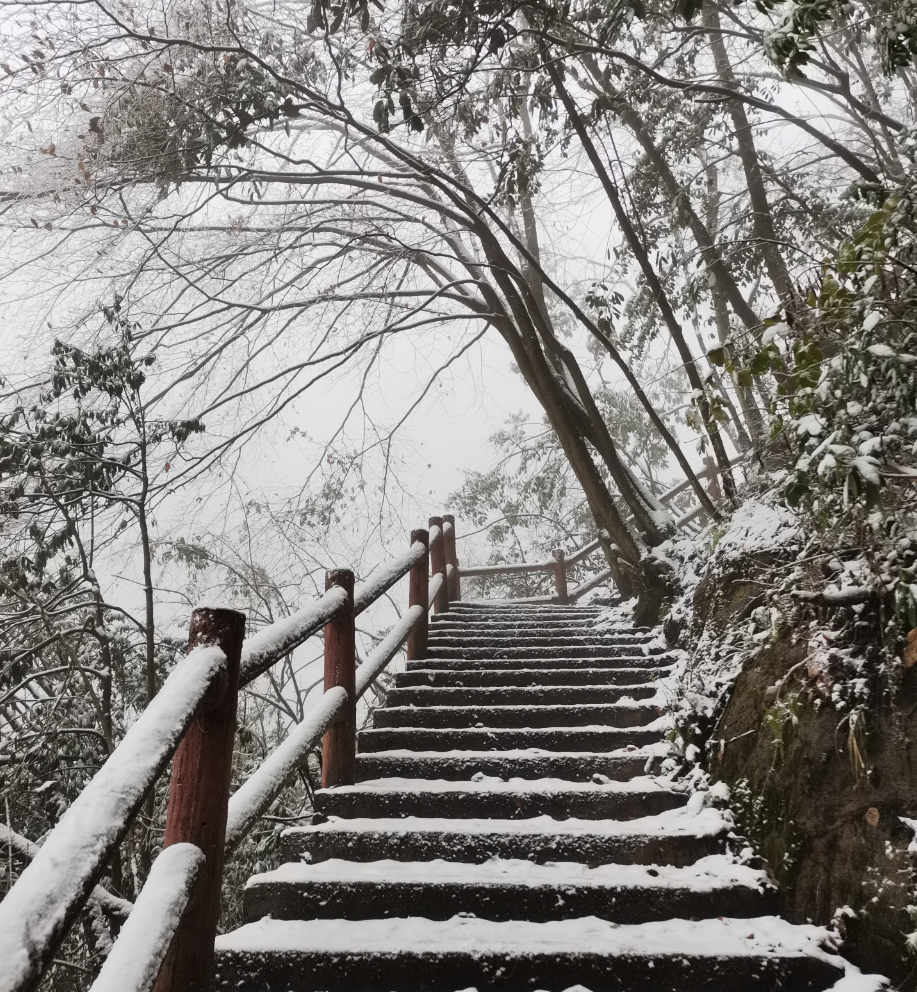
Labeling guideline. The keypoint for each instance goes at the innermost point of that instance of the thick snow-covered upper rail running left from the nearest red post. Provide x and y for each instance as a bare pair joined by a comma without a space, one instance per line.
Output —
40,907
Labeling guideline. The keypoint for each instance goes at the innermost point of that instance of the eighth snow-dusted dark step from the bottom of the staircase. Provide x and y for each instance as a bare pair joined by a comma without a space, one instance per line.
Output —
533,695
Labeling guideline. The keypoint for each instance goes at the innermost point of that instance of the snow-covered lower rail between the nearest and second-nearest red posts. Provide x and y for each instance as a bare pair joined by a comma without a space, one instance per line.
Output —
263,786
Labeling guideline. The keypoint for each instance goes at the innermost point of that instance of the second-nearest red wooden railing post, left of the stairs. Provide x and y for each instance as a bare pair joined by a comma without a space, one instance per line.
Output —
339,745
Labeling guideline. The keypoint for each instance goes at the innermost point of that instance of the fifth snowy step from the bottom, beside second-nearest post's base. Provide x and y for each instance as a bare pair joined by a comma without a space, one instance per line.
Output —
459,766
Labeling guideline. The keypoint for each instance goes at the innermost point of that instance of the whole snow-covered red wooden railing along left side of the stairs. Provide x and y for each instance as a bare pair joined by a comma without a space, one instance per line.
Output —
38,911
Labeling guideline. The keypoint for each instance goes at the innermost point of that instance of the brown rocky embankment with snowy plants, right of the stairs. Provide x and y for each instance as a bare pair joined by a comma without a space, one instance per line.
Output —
800,693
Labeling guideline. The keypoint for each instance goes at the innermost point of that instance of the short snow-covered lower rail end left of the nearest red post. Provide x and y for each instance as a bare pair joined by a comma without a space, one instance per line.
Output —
134,962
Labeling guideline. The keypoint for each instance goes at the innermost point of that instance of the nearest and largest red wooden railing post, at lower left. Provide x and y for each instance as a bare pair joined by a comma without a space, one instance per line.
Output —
198,798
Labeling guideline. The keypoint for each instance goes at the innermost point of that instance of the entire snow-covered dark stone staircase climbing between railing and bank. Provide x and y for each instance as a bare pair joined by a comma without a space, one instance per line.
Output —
507,832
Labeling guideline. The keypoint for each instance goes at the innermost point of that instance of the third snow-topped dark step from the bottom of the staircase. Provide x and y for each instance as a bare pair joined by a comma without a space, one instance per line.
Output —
676,837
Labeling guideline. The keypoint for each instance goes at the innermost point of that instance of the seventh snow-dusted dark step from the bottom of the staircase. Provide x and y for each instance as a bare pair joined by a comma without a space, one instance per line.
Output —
495,717
